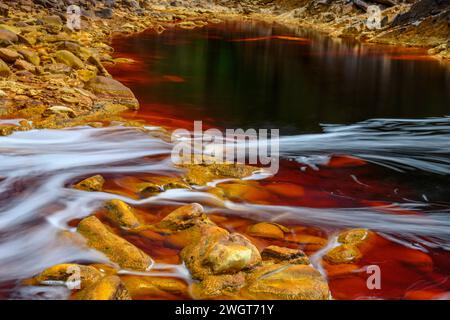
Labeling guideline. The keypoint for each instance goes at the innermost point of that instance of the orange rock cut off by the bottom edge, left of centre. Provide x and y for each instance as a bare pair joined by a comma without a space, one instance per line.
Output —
108,288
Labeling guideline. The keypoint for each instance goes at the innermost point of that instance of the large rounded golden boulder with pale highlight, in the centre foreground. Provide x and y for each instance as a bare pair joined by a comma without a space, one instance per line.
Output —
219,252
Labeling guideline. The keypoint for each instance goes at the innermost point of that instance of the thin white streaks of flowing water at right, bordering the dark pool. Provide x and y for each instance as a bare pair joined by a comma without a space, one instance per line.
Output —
398,144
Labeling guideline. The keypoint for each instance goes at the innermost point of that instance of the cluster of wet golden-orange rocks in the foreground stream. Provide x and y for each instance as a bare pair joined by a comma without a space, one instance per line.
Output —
223,264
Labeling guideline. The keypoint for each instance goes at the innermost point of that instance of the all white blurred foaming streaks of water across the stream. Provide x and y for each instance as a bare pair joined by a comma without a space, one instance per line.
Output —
36,204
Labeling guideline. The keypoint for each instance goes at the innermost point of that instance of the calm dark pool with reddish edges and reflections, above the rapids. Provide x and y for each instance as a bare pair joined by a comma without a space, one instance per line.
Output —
285,83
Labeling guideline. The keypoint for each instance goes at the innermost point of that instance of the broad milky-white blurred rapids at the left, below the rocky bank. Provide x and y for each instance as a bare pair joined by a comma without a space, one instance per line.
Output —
35,204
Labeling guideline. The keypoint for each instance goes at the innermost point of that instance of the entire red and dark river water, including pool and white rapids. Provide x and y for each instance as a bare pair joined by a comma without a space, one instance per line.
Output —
365,142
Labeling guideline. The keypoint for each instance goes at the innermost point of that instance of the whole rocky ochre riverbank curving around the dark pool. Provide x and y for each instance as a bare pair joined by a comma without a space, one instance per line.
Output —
52,76
